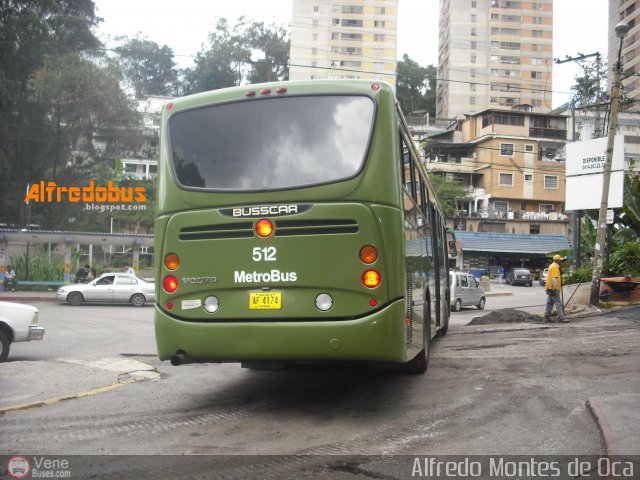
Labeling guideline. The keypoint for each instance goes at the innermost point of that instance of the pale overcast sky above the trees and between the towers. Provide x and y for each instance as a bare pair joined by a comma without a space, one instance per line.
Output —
580,26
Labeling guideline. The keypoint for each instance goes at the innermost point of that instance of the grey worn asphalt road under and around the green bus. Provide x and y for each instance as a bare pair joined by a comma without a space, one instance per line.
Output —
512,389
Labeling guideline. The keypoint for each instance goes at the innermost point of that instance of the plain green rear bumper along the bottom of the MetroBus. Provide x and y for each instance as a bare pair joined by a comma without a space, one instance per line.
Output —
380,336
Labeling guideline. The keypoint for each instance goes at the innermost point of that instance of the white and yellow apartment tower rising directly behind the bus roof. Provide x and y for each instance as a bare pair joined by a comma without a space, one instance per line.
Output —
343,39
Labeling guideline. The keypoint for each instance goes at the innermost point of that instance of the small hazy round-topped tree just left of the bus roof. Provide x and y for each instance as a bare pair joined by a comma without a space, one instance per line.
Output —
149,69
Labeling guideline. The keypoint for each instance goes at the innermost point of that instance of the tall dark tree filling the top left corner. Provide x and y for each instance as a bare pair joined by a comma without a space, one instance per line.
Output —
32,32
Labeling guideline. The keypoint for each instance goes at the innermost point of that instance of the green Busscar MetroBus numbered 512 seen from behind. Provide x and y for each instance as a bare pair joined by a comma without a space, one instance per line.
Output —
295,223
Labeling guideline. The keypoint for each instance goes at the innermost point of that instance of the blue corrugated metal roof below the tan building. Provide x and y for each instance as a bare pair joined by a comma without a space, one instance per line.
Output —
511,242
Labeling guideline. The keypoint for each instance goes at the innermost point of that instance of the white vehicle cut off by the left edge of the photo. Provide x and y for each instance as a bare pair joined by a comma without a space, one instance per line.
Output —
18,323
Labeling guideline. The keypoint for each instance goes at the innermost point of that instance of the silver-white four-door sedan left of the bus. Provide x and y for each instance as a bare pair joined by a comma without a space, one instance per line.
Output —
109,288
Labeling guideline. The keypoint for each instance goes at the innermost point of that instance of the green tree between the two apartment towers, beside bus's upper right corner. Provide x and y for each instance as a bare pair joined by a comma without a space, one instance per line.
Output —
416,86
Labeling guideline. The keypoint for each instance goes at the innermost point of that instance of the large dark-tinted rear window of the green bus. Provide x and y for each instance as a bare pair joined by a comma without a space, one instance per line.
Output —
273,143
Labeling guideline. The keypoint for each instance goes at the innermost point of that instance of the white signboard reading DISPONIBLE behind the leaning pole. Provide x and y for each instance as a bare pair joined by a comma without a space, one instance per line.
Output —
585,168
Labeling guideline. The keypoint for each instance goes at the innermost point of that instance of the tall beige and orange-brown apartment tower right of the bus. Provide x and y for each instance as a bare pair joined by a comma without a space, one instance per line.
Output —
494,54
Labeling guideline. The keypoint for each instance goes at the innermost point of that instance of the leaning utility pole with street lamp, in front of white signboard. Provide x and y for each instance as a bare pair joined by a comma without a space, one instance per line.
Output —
601,229
